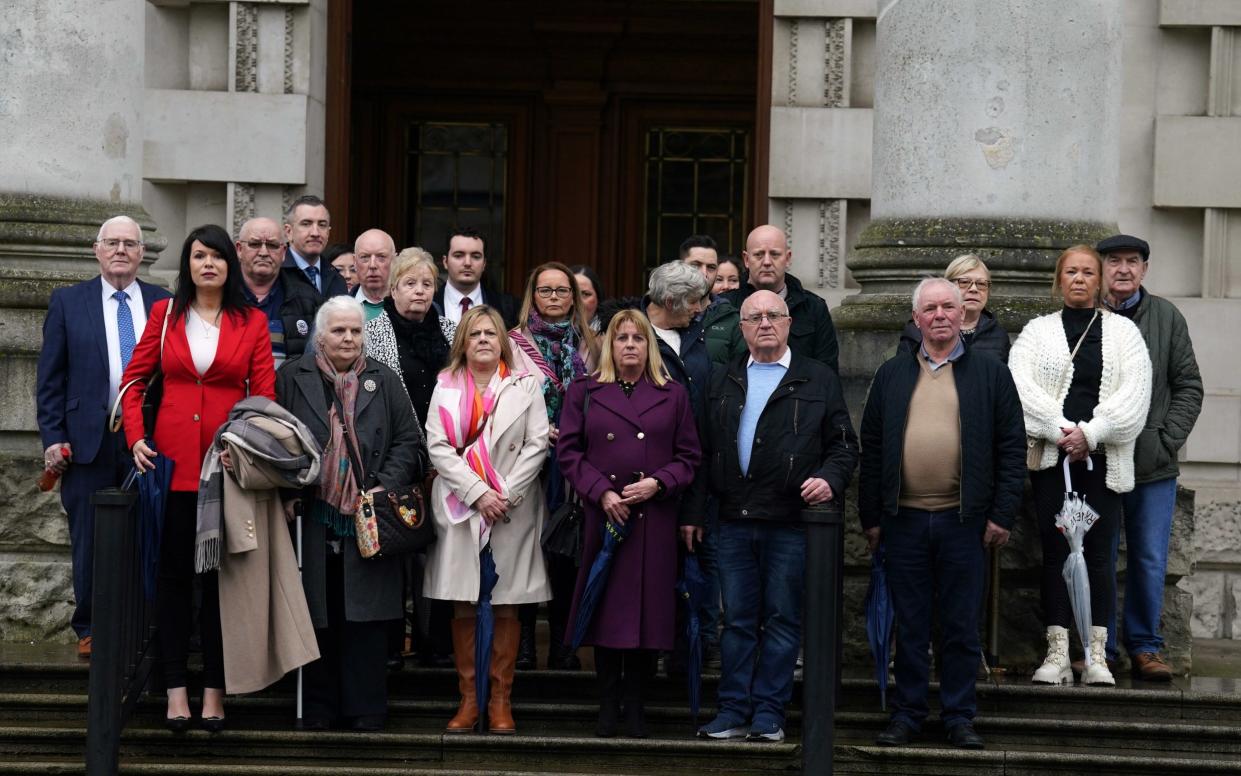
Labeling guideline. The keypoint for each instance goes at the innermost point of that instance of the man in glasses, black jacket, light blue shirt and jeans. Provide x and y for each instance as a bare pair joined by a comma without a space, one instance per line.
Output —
777,439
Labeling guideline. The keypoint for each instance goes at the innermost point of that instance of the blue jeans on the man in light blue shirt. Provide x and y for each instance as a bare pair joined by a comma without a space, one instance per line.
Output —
763,569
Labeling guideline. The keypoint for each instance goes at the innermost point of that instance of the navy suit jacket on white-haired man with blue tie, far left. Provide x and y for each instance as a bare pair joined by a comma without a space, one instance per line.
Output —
73,379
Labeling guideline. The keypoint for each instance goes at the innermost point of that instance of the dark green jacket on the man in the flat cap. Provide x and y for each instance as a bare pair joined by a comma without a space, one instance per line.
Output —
1176,389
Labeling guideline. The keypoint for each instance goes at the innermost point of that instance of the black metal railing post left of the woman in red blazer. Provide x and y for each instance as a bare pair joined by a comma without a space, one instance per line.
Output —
114,546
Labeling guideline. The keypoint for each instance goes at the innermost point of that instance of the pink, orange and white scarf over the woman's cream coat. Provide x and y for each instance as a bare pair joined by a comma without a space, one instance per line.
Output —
464,426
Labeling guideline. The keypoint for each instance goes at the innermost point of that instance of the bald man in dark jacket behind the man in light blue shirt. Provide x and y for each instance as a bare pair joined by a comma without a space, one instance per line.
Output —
768,259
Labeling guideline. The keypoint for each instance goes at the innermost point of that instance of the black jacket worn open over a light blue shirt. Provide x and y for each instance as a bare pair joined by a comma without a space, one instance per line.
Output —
805,431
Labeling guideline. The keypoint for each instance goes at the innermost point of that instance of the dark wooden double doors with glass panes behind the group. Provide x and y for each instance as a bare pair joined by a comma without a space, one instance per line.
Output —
599,133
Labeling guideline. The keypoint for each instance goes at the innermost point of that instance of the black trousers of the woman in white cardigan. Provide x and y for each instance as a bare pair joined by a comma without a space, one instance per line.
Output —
1049,497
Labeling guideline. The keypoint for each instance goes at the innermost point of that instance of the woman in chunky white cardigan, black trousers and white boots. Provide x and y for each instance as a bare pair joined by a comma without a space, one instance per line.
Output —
1084,376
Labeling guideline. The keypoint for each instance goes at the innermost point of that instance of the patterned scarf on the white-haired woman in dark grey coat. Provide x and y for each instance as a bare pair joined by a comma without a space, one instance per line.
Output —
338,490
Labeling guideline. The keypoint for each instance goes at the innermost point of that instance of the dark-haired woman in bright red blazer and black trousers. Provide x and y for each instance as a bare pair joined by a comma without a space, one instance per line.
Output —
215,352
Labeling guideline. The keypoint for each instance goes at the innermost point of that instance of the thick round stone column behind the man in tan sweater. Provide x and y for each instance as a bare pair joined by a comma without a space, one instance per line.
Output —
997,129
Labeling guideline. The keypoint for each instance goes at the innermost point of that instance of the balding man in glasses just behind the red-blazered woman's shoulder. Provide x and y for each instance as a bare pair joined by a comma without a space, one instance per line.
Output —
280,291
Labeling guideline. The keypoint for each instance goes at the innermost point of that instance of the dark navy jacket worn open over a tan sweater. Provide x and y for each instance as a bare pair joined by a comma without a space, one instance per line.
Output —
992,440
